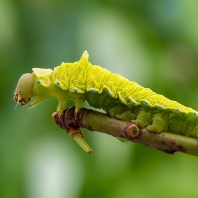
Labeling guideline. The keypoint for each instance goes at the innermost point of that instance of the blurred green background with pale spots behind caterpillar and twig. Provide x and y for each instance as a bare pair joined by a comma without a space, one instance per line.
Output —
152,42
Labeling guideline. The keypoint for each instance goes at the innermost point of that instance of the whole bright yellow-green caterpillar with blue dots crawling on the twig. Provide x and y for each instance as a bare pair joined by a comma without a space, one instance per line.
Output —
119,97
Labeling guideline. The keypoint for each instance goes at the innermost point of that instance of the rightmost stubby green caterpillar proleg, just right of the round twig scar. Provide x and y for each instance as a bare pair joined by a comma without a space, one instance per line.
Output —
158,125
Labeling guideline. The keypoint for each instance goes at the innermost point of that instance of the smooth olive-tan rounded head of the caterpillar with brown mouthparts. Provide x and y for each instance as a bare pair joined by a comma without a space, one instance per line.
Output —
24,89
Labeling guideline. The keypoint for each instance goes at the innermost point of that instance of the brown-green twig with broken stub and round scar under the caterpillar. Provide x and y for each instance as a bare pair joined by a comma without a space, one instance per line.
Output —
96,121
